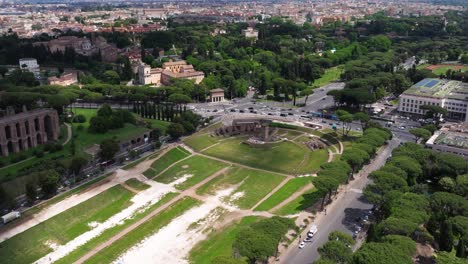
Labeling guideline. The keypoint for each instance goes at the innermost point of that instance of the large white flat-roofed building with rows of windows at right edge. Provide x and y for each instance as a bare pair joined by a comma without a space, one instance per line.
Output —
451,95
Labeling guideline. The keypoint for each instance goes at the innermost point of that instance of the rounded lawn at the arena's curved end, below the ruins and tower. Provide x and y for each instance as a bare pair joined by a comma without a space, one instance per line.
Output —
284,157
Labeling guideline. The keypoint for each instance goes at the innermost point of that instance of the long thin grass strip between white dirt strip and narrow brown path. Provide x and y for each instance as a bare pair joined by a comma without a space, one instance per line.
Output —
109,233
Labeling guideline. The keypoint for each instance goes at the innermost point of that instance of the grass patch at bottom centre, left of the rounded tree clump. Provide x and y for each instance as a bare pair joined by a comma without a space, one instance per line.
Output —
219,243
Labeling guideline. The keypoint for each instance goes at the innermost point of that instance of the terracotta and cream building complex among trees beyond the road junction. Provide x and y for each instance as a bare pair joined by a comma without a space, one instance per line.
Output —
173,69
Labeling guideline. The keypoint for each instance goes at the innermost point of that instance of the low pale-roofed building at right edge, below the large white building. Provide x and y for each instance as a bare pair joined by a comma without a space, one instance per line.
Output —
451,139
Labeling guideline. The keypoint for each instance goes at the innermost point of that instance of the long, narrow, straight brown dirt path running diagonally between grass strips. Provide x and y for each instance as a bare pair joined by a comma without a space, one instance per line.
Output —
135,225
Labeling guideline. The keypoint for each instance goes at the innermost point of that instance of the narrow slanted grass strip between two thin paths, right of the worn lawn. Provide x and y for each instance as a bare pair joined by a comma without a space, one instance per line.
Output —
283,193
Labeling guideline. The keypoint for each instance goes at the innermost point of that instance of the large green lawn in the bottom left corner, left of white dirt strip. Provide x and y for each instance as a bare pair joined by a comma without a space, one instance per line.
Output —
31,245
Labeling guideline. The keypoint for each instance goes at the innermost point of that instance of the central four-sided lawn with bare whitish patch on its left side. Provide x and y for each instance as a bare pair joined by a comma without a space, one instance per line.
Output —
253,184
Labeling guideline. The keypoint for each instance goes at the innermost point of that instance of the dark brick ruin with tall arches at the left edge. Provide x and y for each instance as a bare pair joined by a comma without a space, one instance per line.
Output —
27,129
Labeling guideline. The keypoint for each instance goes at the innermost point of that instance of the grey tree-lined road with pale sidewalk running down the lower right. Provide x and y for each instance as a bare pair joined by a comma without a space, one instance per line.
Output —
341,214
